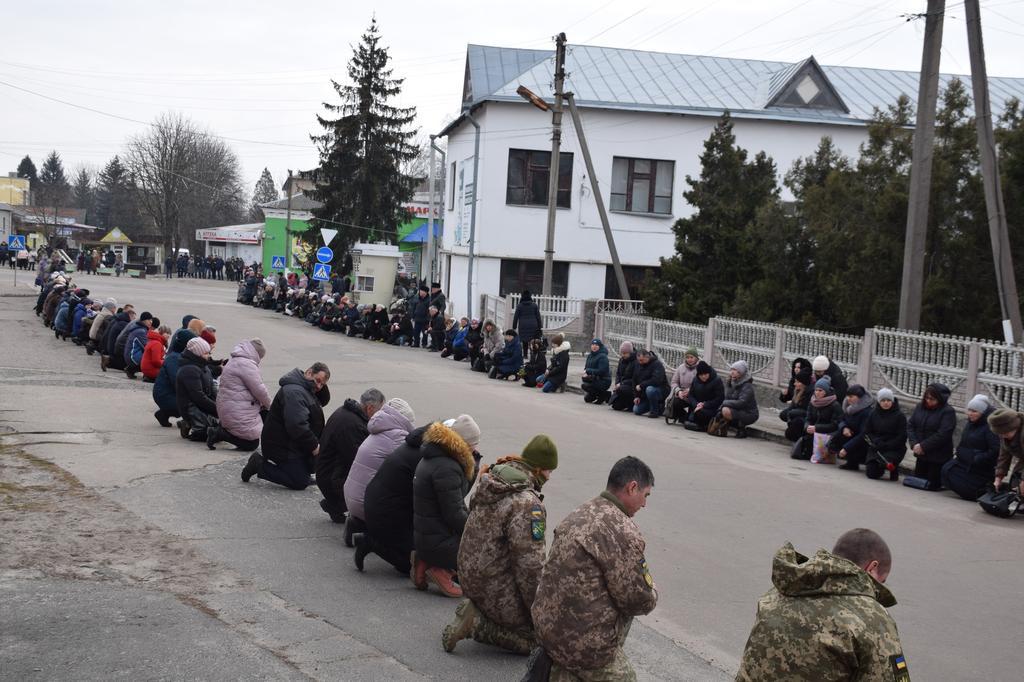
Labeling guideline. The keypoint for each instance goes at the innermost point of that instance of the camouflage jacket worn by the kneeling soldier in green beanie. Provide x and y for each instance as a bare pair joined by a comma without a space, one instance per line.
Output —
502,550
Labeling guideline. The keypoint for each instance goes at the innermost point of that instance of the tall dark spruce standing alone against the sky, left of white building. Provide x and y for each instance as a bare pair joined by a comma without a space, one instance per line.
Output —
363,152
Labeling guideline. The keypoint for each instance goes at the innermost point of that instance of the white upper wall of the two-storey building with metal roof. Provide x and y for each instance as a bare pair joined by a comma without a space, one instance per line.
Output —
519,232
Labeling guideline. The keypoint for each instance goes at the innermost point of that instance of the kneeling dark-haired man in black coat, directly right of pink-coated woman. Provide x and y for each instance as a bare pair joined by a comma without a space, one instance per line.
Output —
290,441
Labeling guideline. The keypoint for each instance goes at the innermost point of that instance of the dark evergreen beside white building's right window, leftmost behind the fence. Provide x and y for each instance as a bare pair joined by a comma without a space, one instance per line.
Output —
715,258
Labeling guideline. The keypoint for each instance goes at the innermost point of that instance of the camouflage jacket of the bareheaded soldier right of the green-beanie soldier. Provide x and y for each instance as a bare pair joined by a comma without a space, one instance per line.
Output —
595,581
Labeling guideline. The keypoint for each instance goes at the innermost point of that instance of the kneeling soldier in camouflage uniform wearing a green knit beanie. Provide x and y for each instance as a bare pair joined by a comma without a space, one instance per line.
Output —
502,551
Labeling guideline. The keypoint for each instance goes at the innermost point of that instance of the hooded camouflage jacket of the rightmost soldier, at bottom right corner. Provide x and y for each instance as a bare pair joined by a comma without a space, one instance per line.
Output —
825,621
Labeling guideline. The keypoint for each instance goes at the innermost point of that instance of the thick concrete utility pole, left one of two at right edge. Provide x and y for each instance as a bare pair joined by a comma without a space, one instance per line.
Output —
921,172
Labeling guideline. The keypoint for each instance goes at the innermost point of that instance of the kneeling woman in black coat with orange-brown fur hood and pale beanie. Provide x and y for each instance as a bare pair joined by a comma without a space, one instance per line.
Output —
443,480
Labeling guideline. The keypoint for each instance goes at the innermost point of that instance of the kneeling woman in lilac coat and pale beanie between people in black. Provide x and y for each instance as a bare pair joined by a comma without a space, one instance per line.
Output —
389,429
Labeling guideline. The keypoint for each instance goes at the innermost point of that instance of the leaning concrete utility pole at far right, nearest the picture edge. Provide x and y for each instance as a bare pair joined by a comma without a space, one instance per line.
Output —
1002,259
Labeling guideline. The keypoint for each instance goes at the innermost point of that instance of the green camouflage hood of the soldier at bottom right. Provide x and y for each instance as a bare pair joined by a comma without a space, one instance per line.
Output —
796,576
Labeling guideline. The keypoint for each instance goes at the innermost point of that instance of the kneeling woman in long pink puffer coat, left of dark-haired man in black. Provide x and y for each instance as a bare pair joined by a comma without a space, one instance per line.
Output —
241,398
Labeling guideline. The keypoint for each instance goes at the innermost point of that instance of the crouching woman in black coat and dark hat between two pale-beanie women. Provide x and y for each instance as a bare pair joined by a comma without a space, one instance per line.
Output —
930,434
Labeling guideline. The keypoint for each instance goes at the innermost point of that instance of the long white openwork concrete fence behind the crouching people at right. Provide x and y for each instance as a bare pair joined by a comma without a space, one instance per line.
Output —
906,362
